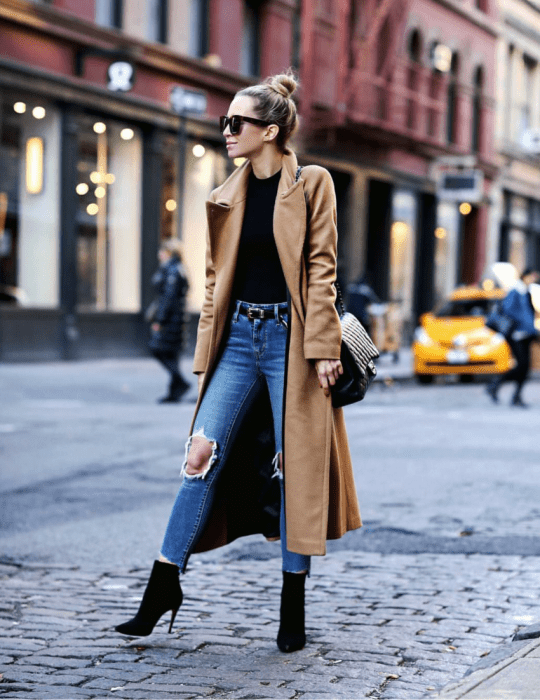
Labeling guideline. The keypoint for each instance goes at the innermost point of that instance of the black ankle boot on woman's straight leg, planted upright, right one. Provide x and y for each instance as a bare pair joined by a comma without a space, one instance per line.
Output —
292,632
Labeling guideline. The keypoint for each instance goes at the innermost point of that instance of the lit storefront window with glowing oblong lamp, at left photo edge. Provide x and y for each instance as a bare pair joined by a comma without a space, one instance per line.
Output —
29,200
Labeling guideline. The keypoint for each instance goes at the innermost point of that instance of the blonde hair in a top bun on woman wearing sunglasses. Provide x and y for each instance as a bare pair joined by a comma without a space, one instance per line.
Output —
274,103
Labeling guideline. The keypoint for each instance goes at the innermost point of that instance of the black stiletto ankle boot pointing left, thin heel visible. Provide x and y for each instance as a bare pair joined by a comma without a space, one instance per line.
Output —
162,593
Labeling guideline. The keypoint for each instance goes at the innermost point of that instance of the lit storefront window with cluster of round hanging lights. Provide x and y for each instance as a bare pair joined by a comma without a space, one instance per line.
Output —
108,220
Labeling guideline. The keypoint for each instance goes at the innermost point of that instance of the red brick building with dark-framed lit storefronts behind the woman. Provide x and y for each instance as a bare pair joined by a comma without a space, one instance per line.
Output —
91,168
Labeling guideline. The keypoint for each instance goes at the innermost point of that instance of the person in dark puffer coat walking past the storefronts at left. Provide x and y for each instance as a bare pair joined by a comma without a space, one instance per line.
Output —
168,316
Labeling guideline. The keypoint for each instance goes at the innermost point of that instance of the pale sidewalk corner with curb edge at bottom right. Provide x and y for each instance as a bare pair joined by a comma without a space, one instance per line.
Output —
513,673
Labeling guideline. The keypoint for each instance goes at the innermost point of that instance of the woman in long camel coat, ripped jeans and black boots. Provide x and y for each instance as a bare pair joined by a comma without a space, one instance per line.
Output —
267,354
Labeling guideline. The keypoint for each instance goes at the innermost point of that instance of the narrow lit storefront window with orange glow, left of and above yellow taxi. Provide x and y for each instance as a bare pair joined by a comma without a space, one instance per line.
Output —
402,241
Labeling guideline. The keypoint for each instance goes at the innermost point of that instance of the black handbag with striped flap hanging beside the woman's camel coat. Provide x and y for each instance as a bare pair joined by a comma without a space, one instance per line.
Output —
357,356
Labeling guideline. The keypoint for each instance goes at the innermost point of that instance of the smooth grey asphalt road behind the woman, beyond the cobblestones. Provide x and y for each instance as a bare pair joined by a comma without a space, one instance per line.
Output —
90,464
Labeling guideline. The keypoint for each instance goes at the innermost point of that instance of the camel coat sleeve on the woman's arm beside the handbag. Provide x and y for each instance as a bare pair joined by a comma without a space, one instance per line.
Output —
322,333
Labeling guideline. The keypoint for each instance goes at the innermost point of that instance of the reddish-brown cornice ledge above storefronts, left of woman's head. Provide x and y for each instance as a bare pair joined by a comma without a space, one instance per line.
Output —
87,35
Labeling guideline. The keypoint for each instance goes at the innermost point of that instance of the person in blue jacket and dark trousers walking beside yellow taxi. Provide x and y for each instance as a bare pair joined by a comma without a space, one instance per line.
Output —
518,306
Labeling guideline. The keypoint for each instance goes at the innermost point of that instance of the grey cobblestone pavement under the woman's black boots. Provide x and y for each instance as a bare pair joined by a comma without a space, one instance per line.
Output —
380,626
